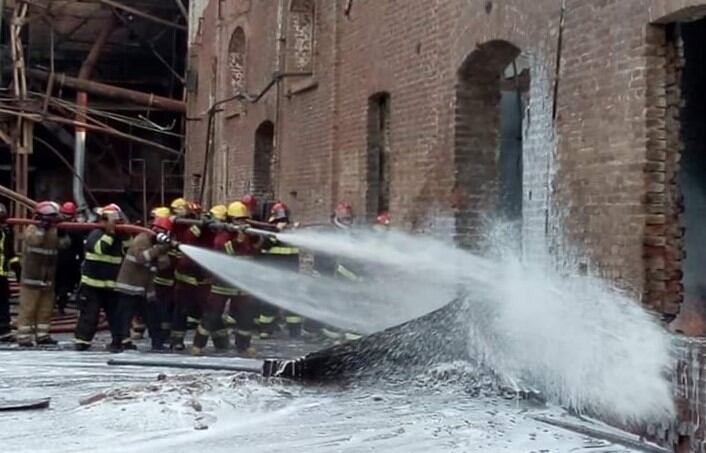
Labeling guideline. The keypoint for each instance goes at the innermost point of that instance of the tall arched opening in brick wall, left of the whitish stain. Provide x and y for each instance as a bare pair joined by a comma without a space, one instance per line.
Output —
491,95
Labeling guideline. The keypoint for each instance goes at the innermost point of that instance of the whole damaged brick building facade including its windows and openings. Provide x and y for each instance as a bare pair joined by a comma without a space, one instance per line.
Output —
579,120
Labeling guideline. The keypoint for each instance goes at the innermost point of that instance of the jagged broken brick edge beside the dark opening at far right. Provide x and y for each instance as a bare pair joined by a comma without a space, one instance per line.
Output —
663,238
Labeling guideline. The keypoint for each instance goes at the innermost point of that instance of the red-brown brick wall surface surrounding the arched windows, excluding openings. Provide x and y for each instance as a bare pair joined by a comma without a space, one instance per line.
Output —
585,174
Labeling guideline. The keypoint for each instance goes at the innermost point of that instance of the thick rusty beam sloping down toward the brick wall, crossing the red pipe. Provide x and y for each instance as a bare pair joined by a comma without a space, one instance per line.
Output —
111,91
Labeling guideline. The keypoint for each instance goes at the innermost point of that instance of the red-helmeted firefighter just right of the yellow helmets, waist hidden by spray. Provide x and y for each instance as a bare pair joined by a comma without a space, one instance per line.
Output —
285,257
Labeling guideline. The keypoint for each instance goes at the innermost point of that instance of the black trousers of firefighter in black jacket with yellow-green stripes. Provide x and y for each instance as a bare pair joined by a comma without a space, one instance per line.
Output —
95,299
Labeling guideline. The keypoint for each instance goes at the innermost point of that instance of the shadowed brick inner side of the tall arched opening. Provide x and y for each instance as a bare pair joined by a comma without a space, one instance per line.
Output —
478,169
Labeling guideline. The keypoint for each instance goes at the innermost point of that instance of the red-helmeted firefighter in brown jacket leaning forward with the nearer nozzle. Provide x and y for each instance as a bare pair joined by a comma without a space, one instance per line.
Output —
135,280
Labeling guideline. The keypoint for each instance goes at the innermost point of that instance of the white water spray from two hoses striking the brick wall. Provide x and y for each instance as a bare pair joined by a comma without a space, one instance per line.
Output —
577,340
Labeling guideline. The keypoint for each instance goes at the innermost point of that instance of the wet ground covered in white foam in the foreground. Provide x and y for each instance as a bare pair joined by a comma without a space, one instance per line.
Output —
96,407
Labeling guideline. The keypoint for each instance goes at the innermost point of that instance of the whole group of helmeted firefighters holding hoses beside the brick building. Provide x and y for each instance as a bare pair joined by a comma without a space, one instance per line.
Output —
144,282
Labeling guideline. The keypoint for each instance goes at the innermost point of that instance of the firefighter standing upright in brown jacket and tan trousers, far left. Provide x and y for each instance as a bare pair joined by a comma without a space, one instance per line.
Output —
41,244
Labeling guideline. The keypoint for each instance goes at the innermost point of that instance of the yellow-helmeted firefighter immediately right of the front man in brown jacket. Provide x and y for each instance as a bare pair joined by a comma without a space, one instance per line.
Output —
191,285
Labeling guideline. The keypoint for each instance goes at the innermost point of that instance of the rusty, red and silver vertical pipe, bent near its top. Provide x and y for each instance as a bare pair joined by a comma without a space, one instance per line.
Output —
82,103
